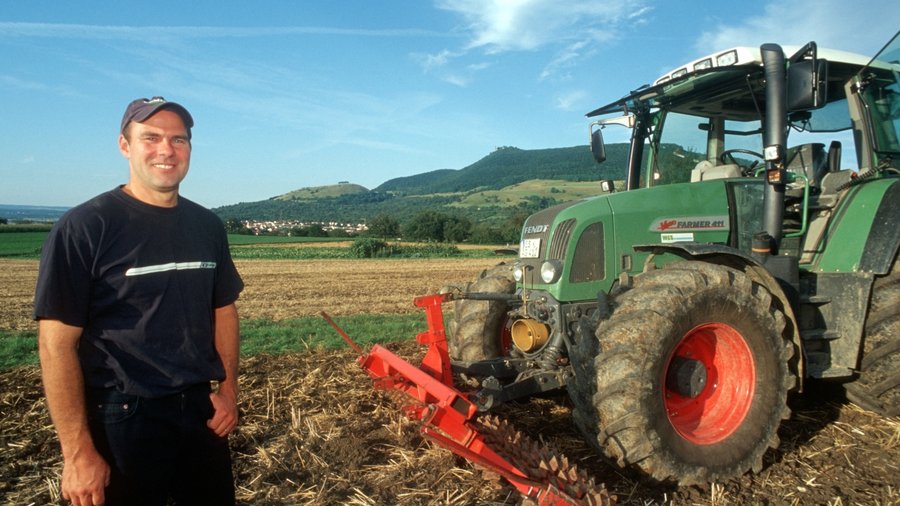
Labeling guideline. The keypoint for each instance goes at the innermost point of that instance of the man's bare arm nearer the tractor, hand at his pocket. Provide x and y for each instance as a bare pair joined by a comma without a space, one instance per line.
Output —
227,340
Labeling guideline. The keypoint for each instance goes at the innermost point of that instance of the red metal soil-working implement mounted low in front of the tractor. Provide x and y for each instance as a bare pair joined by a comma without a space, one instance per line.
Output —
450,419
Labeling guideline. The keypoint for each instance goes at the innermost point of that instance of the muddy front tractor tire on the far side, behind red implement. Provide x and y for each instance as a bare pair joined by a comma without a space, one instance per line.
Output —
477,329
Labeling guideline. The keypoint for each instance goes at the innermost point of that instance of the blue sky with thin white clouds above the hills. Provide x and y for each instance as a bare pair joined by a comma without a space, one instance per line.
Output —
290,94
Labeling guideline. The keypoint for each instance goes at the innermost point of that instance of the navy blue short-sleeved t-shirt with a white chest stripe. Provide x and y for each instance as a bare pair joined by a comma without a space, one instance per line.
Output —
143,282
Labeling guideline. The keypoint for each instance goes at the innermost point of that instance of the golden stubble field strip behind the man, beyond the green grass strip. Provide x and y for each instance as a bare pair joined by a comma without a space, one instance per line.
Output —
281,289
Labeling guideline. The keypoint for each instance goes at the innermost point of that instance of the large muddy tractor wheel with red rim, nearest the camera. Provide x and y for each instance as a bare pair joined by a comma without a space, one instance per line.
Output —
691,375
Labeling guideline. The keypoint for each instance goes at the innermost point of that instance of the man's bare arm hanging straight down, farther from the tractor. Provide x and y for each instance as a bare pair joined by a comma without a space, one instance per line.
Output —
85,473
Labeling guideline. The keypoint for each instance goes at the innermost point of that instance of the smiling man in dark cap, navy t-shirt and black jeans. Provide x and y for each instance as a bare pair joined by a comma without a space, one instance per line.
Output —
138,330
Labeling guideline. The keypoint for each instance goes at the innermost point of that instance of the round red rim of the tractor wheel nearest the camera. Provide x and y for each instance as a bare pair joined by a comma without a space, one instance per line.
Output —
722,405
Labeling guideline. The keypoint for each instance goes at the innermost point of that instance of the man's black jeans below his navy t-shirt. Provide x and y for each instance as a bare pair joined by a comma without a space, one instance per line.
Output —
161,449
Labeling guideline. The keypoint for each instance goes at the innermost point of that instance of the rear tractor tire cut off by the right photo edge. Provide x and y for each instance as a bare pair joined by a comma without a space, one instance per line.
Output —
878,387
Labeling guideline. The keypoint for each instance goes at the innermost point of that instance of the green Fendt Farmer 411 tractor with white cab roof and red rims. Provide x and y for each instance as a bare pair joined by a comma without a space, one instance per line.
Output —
749,244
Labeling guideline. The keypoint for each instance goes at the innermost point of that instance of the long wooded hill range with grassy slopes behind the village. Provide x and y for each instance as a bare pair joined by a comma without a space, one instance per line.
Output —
488,190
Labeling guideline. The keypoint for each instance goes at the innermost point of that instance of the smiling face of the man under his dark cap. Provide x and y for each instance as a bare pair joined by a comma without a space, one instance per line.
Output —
159,155
